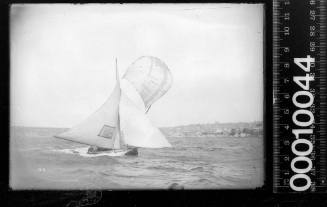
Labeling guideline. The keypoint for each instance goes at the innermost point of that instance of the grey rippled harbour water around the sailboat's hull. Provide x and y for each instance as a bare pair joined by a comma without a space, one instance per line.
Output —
194,163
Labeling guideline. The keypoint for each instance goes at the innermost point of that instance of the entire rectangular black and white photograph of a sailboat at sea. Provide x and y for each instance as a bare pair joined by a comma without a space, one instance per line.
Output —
136,96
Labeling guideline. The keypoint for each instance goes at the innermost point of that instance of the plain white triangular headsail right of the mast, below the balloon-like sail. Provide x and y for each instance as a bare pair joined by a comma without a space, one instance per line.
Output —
137,128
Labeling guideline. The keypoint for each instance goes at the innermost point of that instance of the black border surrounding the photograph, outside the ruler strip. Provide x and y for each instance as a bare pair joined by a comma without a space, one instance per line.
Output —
258,197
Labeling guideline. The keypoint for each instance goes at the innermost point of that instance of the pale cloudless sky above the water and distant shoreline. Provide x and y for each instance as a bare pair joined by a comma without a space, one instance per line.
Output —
62,59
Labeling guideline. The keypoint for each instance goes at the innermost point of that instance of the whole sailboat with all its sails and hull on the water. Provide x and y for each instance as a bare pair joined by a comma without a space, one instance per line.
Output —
121,125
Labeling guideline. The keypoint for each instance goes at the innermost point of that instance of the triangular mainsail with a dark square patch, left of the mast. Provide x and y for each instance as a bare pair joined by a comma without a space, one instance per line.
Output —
99,129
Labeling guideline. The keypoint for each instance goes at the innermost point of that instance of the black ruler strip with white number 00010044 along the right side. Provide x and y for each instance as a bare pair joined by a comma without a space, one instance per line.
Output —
299,96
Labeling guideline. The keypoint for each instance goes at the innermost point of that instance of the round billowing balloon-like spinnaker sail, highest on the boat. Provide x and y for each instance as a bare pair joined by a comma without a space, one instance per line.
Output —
151,78
